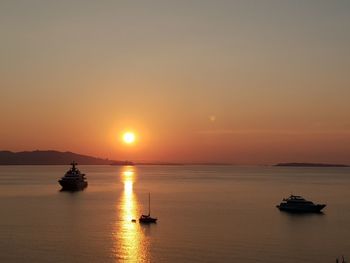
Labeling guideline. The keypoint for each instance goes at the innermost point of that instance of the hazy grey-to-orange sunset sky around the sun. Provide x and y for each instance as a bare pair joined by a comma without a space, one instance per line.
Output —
244,82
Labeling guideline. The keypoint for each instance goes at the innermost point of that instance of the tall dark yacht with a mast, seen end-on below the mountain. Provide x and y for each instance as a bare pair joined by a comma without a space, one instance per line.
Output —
73,180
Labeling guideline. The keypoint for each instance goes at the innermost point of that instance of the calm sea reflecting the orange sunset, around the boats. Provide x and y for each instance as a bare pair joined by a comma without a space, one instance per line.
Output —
205,214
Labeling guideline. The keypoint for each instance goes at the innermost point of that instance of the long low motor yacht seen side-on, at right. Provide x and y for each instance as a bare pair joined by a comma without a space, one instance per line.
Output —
295,203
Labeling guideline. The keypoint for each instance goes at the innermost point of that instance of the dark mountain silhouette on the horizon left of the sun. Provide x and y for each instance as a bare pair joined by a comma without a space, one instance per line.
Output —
50,158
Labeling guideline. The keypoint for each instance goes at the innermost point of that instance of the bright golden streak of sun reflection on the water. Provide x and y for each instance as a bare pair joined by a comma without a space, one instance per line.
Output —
131,244
